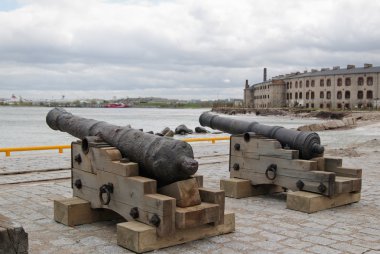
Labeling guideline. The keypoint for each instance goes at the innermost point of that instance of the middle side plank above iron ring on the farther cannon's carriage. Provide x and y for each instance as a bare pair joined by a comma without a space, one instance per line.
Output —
264,161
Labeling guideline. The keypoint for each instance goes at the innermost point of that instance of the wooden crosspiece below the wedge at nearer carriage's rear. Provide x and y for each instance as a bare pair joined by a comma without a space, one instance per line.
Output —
195,216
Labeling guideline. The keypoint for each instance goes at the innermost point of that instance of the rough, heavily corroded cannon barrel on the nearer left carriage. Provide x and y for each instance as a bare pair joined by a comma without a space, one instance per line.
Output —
164,159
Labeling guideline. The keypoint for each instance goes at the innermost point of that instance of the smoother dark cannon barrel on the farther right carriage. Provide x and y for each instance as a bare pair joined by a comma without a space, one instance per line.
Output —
307,143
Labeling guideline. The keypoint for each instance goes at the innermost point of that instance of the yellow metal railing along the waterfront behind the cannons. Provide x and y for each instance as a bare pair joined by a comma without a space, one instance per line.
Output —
8,150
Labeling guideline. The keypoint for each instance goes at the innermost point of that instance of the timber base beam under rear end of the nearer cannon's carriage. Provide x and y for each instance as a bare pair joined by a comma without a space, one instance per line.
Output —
140,237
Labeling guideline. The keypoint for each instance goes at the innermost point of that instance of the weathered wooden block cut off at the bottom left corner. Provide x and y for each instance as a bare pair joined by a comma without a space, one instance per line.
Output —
13,238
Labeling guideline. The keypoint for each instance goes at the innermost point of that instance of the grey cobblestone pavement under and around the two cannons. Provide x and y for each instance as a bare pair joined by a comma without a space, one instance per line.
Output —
263,224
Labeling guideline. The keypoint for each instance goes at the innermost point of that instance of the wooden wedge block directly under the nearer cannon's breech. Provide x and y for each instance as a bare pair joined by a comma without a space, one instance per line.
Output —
185,192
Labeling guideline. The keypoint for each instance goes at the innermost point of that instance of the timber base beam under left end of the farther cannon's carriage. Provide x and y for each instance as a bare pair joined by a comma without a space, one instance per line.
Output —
240,188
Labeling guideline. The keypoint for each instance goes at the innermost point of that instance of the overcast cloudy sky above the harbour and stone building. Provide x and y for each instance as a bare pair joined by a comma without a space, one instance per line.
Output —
175,49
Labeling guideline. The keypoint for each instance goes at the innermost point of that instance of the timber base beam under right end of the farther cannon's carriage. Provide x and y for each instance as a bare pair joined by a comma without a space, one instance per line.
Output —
311,202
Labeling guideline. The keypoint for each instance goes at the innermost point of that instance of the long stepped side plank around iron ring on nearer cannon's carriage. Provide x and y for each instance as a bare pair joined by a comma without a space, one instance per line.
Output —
129,192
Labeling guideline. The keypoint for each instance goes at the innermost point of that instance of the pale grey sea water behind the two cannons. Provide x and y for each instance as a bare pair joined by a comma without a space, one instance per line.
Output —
26,126
